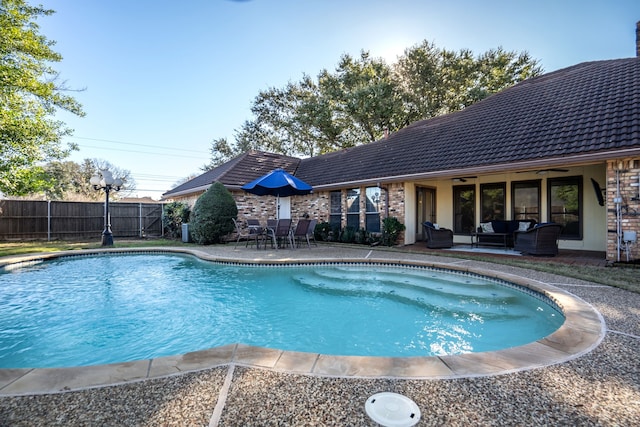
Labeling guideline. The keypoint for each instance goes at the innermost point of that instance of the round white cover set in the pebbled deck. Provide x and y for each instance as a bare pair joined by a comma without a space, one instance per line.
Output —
392,410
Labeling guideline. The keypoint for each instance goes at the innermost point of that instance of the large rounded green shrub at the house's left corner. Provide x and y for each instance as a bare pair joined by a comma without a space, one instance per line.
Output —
211,218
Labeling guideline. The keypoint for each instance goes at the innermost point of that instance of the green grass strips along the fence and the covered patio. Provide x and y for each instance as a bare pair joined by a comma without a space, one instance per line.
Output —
621,276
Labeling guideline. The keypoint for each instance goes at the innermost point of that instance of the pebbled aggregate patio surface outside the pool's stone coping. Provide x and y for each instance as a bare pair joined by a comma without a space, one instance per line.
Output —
601,387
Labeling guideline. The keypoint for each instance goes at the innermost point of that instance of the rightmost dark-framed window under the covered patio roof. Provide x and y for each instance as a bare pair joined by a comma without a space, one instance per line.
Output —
565,205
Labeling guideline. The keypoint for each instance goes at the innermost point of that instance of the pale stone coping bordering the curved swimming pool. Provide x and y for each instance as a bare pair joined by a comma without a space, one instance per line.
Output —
583,330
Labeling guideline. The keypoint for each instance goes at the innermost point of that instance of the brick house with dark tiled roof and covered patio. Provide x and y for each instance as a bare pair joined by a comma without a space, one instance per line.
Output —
562,147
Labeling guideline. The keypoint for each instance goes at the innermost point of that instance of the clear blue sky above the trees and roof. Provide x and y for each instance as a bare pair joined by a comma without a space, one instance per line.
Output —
163,79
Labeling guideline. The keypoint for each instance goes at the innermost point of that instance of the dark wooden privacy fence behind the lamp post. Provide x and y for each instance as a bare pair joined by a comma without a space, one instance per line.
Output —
55,220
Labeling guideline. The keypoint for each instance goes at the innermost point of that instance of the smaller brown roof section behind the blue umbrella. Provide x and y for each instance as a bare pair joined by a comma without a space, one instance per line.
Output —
237,172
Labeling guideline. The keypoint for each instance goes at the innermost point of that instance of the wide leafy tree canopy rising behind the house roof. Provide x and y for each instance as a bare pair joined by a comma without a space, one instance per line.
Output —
364,97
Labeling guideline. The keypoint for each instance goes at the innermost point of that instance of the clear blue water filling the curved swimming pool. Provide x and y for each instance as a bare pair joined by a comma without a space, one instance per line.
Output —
114,308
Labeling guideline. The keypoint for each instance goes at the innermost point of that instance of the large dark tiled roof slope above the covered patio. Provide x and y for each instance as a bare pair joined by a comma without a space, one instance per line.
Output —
585,110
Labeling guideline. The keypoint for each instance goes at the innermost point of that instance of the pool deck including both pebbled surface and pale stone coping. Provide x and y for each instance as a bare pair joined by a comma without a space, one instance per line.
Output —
594,362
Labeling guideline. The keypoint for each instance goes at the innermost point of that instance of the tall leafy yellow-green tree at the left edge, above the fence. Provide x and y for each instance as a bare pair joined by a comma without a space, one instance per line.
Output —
30,94
